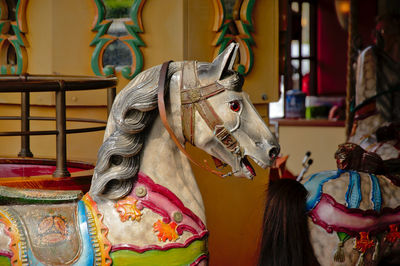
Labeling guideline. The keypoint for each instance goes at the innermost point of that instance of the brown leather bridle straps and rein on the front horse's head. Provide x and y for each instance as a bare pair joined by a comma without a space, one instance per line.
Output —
196,97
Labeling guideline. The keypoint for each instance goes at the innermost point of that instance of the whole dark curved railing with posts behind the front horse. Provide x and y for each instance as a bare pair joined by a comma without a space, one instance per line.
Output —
59,84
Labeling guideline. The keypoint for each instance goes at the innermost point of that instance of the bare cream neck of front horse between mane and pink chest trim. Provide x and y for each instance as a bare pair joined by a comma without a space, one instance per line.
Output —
167,166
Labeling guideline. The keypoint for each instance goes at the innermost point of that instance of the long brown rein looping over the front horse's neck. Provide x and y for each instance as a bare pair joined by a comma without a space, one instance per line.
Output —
163,115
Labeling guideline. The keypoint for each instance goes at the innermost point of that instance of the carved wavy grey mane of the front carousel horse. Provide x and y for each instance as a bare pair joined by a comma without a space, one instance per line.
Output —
133,111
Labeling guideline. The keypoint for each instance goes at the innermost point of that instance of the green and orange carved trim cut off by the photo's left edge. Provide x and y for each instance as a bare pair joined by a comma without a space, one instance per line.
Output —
12,36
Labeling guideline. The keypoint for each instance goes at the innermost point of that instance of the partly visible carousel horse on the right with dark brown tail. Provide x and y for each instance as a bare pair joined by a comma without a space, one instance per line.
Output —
349,216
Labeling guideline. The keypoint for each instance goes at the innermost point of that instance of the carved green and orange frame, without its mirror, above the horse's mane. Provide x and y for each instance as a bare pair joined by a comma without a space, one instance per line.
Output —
134,26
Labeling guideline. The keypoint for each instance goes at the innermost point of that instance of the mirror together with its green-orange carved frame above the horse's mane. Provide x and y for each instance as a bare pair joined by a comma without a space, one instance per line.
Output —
117,42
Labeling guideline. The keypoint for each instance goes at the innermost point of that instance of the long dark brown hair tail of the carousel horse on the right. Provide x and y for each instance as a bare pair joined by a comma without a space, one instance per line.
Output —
285,239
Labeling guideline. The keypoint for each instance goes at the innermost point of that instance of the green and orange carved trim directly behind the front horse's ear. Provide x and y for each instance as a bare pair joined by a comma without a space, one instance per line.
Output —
242,22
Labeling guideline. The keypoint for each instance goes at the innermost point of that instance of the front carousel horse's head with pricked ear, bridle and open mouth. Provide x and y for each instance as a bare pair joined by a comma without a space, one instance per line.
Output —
219,118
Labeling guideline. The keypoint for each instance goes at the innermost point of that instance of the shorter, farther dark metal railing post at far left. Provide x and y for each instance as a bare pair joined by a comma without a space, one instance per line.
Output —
25,127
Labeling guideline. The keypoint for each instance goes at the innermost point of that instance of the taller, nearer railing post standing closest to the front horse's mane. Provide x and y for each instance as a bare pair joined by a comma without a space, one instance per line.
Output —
61,137
